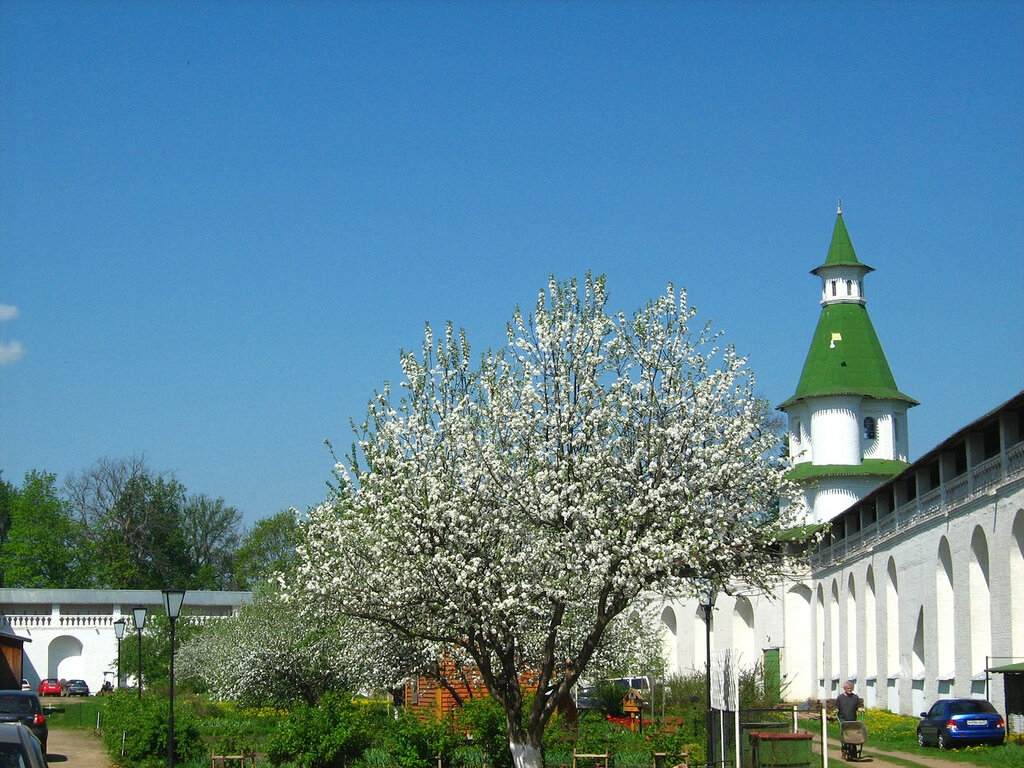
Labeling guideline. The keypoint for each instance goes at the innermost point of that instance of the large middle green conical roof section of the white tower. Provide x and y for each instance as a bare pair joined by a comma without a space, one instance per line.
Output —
846,358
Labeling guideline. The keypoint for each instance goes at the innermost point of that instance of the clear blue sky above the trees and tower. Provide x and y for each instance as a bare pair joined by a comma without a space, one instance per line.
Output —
221,222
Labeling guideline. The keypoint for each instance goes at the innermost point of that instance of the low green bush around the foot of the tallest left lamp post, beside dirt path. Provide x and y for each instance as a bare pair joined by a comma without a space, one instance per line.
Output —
140,728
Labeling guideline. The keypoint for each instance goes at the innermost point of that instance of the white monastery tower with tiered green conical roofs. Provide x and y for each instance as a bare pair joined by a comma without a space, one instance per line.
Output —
847,421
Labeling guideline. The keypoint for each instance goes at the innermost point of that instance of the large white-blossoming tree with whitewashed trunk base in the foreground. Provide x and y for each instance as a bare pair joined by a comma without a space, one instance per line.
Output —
514,508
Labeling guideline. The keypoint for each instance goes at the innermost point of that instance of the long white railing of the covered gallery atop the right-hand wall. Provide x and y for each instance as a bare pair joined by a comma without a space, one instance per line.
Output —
946,499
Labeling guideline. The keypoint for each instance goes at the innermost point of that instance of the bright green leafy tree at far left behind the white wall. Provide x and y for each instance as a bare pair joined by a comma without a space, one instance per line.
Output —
40,549
